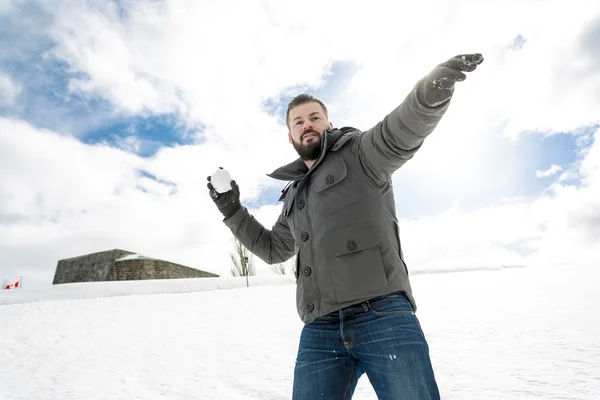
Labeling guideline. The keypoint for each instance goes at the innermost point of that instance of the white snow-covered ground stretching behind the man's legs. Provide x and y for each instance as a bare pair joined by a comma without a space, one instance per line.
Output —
522,333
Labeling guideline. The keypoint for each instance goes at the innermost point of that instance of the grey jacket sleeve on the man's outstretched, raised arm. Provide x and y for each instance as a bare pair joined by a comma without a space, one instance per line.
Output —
392,142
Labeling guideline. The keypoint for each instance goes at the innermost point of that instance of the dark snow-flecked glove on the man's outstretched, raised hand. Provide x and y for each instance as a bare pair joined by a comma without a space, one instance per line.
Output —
437,87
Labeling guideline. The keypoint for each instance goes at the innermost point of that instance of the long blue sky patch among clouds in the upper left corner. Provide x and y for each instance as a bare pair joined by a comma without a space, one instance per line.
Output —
45,100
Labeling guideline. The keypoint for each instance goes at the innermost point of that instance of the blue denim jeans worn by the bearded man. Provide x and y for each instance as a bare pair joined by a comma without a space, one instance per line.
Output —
381,337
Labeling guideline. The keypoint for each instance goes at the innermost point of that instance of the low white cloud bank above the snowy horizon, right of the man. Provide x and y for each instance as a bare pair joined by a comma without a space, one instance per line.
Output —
560,227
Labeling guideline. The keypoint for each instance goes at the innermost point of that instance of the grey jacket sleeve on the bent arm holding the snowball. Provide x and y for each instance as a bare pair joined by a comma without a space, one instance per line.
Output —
272,246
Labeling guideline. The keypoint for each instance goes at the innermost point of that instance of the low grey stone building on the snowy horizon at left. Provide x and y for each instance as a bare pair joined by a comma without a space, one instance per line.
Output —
121,265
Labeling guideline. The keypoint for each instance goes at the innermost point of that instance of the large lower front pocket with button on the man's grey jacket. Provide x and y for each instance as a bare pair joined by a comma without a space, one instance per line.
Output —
356,269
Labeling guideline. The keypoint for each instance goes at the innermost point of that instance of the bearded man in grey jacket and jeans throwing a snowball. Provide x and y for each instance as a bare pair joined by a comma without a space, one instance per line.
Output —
339,218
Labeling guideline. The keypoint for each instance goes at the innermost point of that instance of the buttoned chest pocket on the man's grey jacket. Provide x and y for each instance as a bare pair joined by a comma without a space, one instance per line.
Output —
335,189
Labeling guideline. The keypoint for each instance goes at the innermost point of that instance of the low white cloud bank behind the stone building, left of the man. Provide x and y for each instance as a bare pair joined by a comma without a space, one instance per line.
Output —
62,198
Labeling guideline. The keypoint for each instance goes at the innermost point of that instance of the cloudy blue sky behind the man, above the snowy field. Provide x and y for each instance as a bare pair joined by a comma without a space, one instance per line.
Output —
112,115
